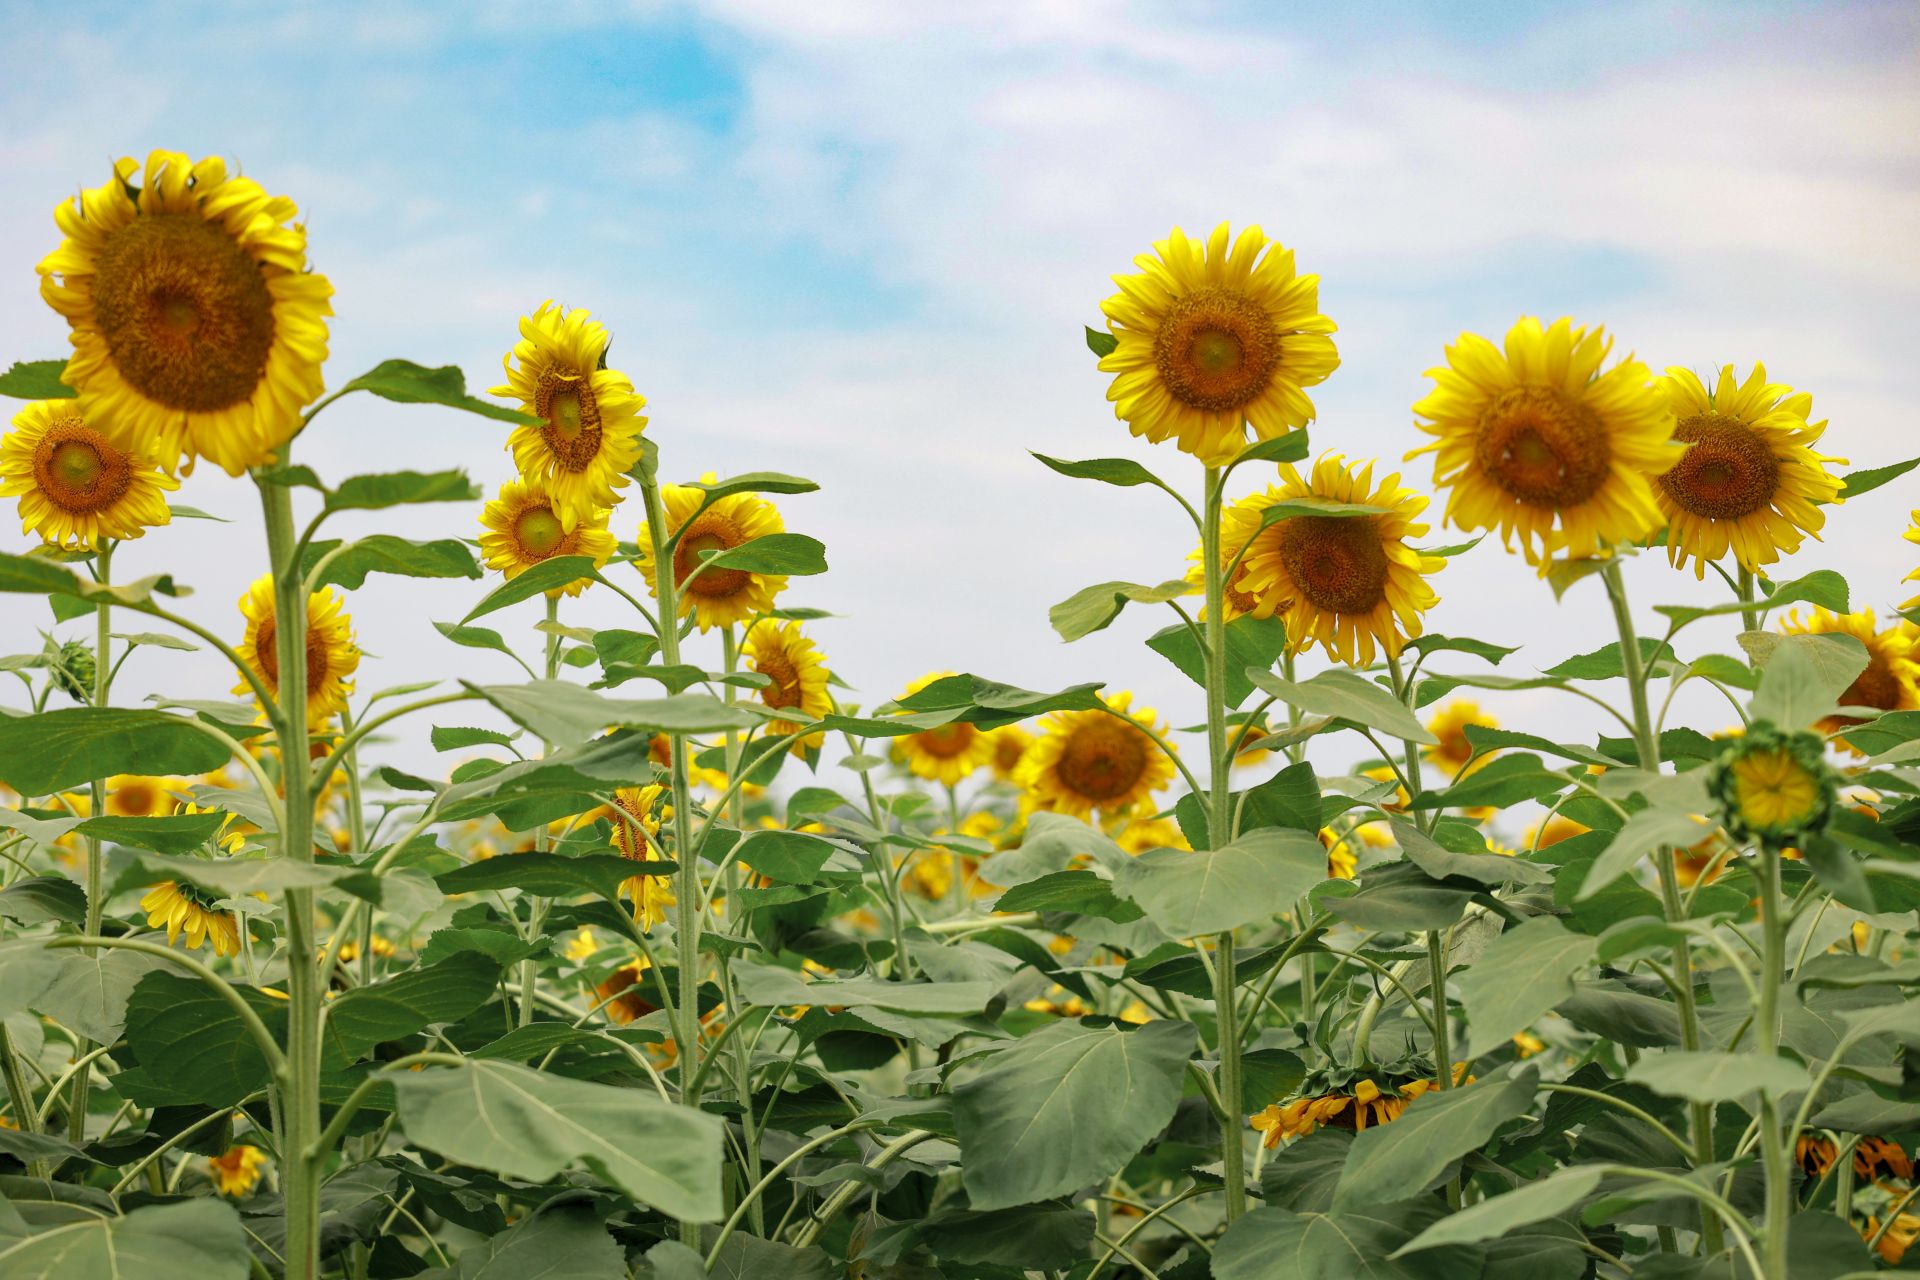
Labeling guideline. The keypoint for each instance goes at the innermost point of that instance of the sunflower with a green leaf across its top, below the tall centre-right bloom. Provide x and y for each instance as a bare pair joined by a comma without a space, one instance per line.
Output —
1343,581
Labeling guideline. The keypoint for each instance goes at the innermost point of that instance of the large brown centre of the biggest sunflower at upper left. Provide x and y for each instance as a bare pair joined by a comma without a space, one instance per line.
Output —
185,312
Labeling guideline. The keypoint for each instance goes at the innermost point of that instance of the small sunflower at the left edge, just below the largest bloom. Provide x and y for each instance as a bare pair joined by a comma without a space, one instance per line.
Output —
78,488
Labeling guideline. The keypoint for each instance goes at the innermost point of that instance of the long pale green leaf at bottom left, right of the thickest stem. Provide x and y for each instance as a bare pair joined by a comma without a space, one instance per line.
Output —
533,1126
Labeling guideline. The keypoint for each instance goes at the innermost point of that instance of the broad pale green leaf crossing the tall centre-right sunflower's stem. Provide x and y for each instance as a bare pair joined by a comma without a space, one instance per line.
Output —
1253,880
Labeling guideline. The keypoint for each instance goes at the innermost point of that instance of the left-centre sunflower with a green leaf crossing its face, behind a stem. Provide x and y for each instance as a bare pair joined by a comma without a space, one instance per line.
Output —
715,596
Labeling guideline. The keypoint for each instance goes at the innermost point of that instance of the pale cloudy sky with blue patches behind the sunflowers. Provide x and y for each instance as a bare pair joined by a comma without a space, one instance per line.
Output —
859,243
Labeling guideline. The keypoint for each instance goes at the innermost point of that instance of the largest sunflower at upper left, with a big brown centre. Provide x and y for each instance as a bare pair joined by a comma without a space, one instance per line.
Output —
195,321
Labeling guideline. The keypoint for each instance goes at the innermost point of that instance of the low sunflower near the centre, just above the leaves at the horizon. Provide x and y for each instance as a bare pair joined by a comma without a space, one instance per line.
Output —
1097,763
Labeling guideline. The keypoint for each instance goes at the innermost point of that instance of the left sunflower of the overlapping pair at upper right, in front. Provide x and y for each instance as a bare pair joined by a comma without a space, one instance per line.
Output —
1543,446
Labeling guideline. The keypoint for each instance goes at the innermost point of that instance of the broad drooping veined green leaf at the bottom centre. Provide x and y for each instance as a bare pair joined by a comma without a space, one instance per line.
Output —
1067,1106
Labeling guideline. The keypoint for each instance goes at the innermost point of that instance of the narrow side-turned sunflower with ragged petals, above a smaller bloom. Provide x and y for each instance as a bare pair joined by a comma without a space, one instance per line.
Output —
590,435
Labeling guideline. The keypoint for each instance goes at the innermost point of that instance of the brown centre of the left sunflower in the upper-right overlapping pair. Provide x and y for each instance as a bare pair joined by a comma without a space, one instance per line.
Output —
1545,448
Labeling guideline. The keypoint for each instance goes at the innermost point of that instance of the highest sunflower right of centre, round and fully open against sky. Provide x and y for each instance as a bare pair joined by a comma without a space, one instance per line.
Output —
1212,341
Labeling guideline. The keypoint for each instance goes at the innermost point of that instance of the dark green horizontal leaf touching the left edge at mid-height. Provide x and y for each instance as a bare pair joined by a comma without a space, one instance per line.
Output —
72,746
